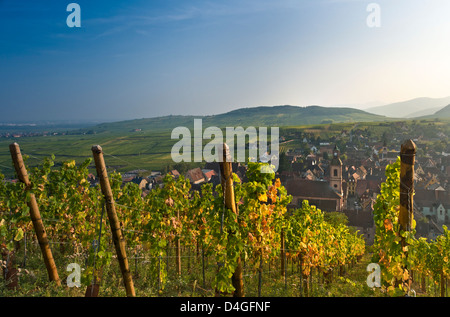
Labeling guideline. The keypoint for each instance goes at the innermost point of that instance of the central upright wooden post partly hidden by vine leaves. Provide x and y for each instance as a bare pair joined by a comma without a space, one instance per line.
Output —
226,172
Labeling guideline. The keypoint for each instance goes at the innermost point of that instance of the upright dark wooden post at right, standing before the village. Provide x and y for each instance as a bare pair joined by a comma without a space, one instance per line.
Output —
406,214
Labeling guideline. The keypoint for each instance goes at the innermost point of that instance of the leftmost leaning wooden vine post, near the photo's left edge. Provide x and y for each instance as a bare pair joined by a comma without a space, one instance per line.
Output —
35,215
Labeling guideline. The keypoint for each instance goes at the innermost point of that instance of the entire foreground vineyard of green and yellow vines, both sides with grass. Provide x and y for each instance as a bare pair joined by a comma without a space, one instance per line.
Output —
235,239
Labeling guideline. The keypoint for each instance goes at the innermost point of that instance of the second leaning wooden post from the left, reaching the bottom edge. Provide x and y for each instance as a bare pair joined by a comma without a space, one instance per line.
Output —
119,241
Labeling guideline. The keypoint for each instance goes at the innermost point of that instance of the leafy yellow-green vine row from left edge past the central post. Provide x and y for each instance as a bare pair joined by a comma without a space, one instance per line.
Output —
233,222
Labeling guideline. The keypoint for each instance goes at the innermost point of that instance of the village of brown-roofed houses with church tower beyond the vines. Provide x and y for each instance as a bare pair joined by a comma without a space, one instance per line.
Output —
344,174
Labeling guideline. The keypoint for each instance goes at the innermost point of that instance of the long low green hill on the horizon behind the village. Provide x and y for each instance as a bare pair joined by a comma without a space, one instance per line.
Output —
269,116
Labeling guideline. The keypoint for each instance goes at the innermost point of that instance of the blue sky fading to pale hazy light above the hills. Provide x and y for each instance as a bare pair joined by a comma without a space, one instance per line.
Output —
136,59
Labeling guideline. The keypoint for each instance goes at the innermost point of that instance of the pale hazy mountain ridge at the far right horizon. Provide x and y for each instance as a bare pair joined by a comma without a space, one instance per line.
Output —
411,108
